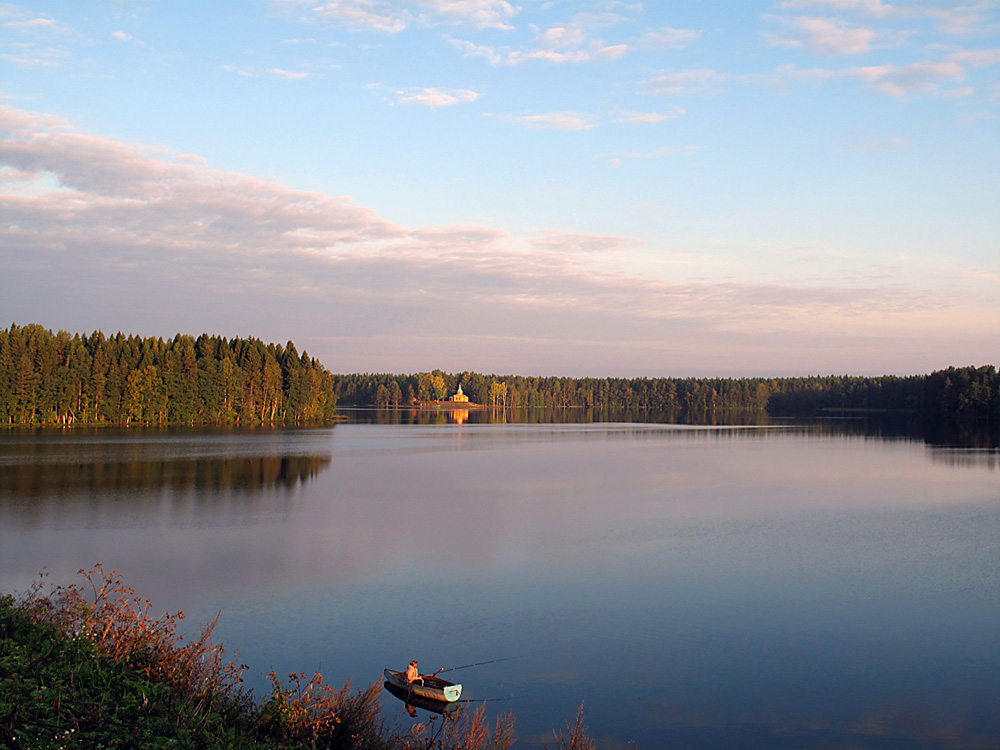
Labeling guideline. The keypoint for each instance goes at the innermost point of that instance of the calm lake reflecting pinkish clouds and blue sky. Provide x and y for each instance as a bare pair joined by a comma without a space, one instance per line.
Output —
723,587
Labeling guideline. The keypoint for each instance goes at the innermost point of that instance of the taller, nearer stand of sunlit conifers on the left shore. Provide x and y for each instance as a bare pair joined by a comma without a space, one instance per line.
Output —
78,379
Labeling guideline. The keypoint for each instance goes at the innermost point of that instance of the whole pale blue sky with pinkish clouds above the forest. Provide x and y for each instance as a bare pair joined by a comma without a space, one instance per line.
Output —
590,188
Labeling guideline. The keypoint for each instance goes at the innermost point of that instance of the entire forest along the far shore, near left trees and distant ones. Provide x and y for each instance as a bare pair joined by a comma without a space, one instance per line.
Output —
78,379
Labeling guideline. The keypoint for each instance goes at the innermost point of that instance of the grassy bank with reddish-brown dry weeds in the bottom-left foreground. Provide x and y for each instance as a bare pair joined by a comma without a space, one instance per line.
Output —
90,666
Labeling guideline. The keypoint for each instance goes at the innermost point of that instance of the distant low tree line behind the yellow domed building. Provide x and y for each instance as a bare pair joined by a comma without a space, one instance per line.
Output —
966,393
